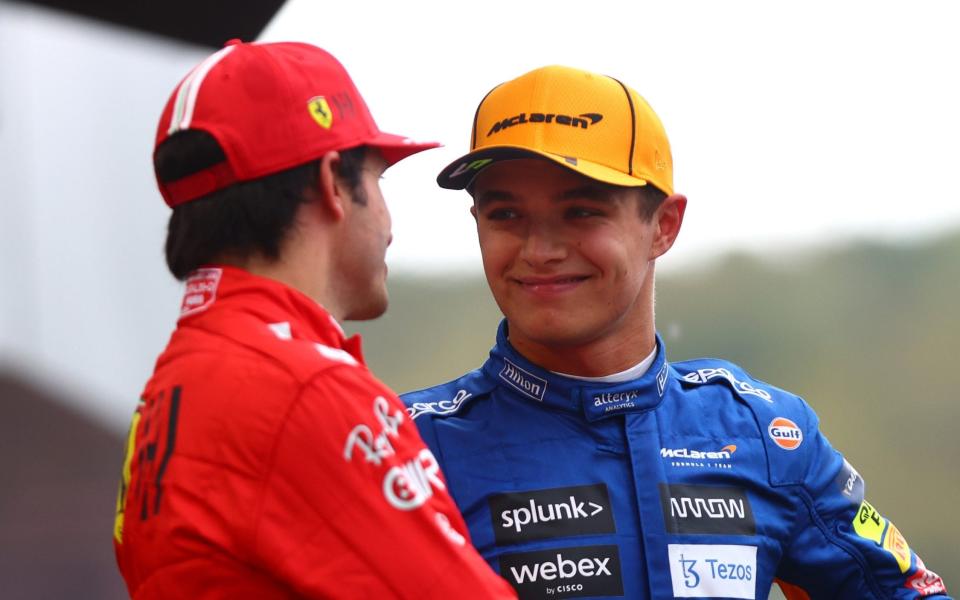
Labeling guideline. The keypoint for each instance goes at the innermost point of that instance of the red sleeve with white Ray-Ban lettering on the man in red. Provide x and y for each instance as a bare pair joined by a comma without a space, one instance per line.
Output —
355,505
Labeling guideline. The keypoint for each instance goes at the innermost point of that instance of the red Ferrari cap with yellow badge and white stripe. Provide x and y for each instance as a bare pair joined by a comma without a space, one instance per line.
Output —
271,107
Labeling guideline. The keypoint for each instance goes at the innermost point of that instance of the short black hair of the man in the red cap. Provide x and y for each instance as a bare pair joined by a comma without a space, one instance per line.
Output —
246,219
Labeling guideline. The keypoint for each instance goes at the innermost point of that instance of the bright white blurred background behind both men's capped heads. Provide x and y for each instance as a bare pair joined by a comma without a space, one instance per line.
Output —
792,125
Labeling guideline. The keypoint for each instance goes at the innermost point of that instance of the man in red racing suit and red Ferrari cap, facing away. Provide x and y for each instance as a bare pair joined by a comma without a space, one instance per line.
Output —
264,459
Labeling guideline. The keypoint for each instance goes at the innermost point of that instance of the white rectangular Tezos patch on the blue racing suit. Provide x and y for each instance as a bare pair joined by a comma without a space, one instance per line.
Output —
713,571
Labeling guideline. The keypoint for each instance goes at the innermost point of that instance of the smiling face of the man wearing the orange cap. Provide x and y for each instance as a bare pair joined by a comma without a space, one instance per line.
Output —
569,260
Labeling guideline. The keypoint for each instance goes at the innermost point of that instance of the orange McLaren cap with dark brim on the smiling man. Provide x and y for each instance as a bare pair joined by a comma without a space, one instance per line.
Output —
590,123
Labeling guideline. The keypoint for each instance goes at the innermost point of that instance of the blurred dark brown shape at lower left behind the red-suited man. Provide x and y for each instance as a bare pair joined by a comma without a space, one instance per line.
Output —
58,482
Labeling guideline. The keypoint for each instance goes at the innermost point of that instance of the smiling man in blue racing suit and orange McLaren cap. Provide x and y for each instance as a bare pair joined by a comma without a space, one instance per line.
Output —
585,463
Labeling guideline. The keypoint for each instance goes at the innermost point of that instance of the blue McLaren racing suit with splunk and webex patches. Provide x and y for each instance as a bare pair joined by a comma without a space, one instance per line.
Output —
692,481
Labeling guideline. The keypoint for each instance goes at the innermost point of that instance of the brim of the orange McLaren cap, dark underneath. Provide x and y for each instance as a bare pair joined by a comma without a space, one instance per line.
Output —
461,172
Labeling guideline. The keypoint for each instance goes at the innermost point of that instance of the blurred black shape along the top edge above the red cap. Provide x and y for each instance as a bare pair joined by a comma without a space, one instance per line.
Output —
203,22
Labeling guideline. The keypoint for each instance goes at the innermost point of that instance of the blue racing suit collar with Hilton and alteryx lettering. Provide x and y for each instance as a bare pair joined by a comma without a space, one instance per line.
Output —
594,400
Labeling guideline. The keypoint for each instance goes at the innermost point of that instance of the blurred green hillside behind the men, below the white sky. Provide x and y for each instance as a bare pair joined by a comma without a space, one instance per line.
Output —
867,333
